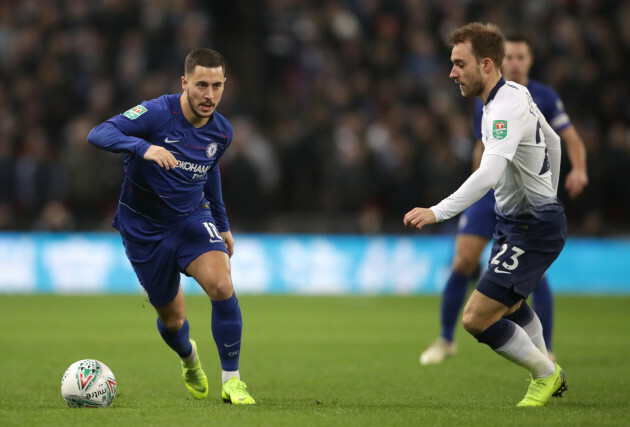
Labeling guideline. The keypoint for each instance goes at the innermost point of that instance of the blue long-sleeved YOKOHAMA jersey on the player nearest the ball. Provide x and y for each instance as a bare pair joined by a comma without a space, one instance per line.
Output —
153,199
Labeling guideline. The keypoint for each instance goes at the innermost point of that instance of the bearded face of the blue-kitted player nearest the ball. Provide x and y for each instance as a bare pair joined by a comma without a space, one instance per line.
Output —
204,88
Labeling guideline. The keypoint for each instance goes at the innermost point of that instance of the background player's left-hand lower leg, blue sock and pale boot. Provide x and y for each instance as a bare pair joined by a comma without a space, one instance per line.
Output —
468,249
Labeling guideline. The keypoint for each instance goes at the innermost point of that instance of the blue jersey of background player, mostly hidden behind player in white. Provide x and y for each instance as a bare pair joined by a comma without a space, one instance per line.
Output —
548,102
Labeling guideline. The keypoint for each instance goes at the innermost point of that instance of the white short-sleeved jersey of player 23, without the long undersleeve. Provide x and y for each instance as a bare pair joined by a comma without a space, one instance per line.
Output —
513,127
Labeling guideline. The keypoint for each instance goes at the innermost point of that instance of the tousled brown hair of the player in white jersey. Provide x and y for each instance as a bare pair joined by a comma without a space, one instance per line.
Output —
486,39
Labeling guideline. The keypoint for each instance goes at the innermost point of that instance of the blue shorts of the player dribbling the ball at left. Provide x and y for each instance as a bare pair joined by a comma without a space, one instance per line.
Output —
158,263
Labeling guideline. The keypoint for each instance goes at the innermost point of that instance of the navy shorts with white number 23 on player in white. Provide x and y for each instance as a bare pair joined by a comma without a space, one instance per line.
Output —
524,248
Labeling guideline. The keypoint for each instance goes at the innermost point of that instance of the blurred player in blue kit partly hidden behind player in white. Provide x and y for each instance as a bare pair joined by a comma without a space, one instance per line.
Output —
477,223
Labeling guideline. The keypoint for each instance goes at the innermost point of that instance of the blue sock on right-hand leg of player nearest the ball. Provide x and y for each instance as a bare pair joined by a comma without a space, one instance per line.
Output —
227,328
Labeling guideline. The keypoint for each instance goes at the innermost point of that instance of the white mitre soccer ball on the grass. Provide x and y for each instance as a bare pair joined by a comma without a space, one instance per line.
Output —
88,383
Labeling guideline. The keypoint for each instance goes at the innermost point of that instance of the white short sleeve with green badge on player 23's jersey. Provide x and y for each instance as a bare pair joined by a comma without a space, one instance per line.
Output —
505,129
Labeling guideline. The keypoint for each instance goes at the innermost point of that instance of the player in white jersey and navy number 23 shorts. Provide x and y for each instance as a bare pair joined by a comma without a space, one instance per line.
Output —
521,161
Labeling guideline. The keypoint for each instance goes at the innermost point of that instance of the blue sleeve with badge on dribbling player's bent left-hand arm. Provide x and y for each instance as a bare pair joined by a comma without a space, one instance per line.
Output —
127,132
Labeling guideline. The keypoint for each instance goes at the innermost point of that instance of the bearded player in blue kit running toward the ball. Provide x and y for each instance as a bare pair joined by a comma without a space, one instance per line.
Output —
171,214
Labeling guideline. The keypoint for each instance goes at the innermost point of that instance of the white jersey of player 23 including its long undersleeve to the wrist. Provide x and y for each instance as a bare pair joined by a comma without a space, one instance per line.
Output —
521,158
